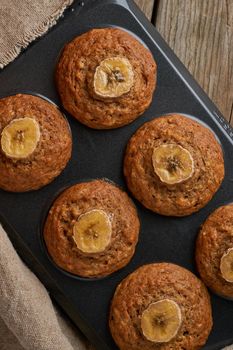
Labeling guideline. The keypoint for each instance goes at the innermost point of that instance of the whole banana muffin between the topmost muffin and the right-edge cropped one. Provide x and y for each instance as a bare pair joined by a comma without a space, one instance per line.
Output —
173,165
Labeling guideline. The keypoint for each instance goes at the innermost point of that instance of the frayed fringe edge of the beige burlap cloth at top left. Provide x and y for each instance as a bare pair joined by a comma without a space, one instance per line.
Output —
34,34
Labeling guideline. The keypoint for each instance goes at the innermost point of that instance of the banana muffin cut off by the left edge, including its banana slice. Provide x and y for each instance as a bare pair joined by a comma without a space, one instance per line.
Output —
35,143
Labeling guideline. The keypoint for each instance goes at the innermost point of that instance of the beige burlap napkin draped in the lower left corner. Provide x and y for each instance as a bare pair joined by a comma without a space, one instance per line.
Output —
28,319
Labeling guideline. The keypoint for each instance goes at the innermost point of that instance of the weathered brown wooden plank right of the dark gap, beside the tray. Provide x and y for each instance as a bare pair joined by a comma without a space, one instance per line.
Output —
201,34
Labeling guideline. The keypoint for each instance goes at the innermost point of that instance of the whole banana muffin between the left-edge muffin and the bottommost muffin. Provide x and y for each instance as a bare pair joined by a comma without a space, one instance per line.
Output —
92,229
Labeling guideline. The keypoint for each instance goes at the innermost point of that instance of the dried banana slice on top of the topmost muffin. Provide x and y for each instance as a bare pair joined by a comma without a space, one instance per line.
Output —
113,77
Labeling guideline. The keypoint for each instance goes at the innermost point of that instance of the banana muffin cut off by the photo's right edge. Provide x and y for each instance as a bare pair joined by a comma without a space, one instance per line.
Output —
214,251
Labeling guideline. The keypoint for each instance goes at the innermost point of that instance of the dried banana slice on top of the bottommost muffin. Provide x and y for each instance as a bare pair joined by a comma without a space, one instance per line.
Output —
161,321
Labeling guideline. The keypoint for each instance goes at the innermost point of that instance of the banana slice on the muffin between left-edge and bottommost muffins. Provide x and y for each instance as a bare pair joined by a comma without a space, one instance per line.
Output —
92,232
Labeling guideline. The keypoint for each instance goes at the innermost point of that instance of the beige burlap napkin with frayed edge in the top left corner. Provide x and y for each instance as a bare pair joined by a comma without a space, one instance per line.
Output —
22,21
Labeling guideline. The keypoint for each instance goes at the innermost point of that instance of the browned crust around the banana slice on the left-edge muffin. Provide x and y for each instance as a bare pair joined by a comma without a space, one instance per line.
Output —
50,156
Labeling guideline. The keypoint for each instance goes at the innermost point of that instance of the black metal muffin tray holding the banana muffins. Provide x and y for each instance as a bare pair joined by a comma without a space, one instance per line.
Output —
99,154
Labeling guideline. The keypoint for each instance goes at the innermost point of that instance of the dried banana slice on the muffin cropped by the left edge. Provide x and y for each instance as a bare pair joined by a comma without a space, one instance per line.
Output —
20,138
